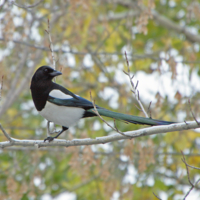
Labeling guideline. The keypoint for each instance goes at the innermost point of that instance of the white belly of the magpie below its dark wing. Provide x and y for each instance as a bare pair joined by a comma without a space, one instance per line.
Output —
62,115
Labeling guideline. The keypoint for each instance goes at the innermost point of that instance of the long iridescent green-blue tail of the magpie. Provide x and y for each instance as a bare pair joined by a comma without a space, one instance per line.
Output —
129,118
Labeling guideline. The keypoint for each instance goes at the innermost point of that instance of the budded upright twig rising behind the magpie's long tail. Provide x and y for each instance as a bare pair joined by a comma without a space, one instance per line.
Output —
134,88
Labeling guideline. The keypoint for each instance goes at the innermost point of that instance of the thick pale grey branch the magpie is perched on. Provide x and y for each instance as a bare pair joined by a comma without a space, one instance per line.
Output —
102,140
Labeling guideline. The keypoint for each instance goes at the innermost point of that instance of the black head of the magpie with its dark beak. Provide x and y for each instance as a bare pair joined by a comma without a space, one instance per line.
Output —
45,73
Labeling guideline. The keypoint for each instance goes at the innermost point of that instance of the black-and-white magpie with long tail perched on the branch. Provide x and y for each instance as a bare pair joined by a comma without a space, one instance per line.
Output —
59,105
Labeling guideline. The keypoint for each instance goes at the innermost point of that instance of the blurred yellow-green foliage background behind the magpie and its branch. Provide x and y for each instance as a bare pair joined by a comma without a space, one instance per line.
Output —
89,37
